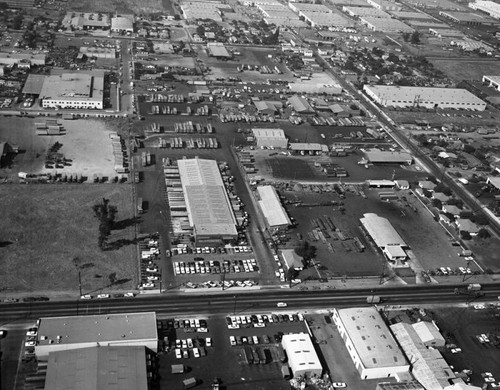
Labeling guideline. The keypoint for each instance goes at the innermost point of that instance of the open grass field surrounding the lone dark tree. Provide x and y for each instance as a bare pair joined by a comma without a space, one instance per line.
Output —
46,231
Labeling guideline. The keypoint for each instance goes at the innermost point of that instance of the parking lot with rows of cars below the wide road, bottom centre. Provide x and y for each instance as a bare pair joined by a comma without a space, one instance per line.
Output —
222,359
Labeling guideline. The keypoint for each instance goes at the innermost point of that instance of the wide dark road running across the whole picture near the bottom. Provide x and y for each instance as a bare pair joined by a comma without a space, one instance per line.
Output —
240,302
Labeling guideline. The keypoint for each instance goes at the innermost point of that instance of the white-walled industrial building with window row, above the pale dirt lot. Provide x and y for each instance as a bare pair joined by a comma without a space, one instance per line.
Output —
73,90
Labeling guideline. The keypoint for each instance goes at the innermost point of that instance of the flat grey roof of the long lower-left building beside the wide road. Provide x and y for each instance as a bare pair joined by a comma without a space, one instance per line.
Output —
96,328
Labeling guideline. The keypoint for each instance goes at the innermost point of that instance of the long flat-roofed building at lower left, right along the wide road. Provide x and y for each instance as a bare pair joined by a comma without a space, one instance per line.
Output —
66,333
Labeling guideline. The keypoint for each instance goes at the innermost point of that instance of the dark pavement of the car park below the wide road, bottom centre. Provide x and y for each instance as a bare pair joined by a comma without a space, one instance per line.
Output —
225,361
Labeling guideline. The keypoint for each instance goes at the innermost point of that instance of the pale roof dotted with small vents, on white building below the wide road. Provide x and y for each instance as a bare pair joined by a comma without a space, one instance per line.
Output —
371,338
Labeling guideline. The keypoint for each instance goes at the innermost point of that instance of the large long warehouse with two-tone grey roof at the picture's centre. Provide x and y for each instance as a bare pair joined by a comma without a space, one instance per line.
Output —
209,209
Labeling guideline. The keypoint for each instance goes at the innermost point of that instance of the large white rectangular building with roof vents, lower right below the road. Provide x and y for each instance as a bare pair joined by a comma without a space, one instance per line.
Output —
370,344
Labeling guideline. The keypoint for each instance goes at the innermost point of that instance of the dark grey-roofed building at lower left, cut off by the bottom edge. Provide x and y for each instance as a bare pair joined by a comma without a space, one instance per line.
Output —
101,367
